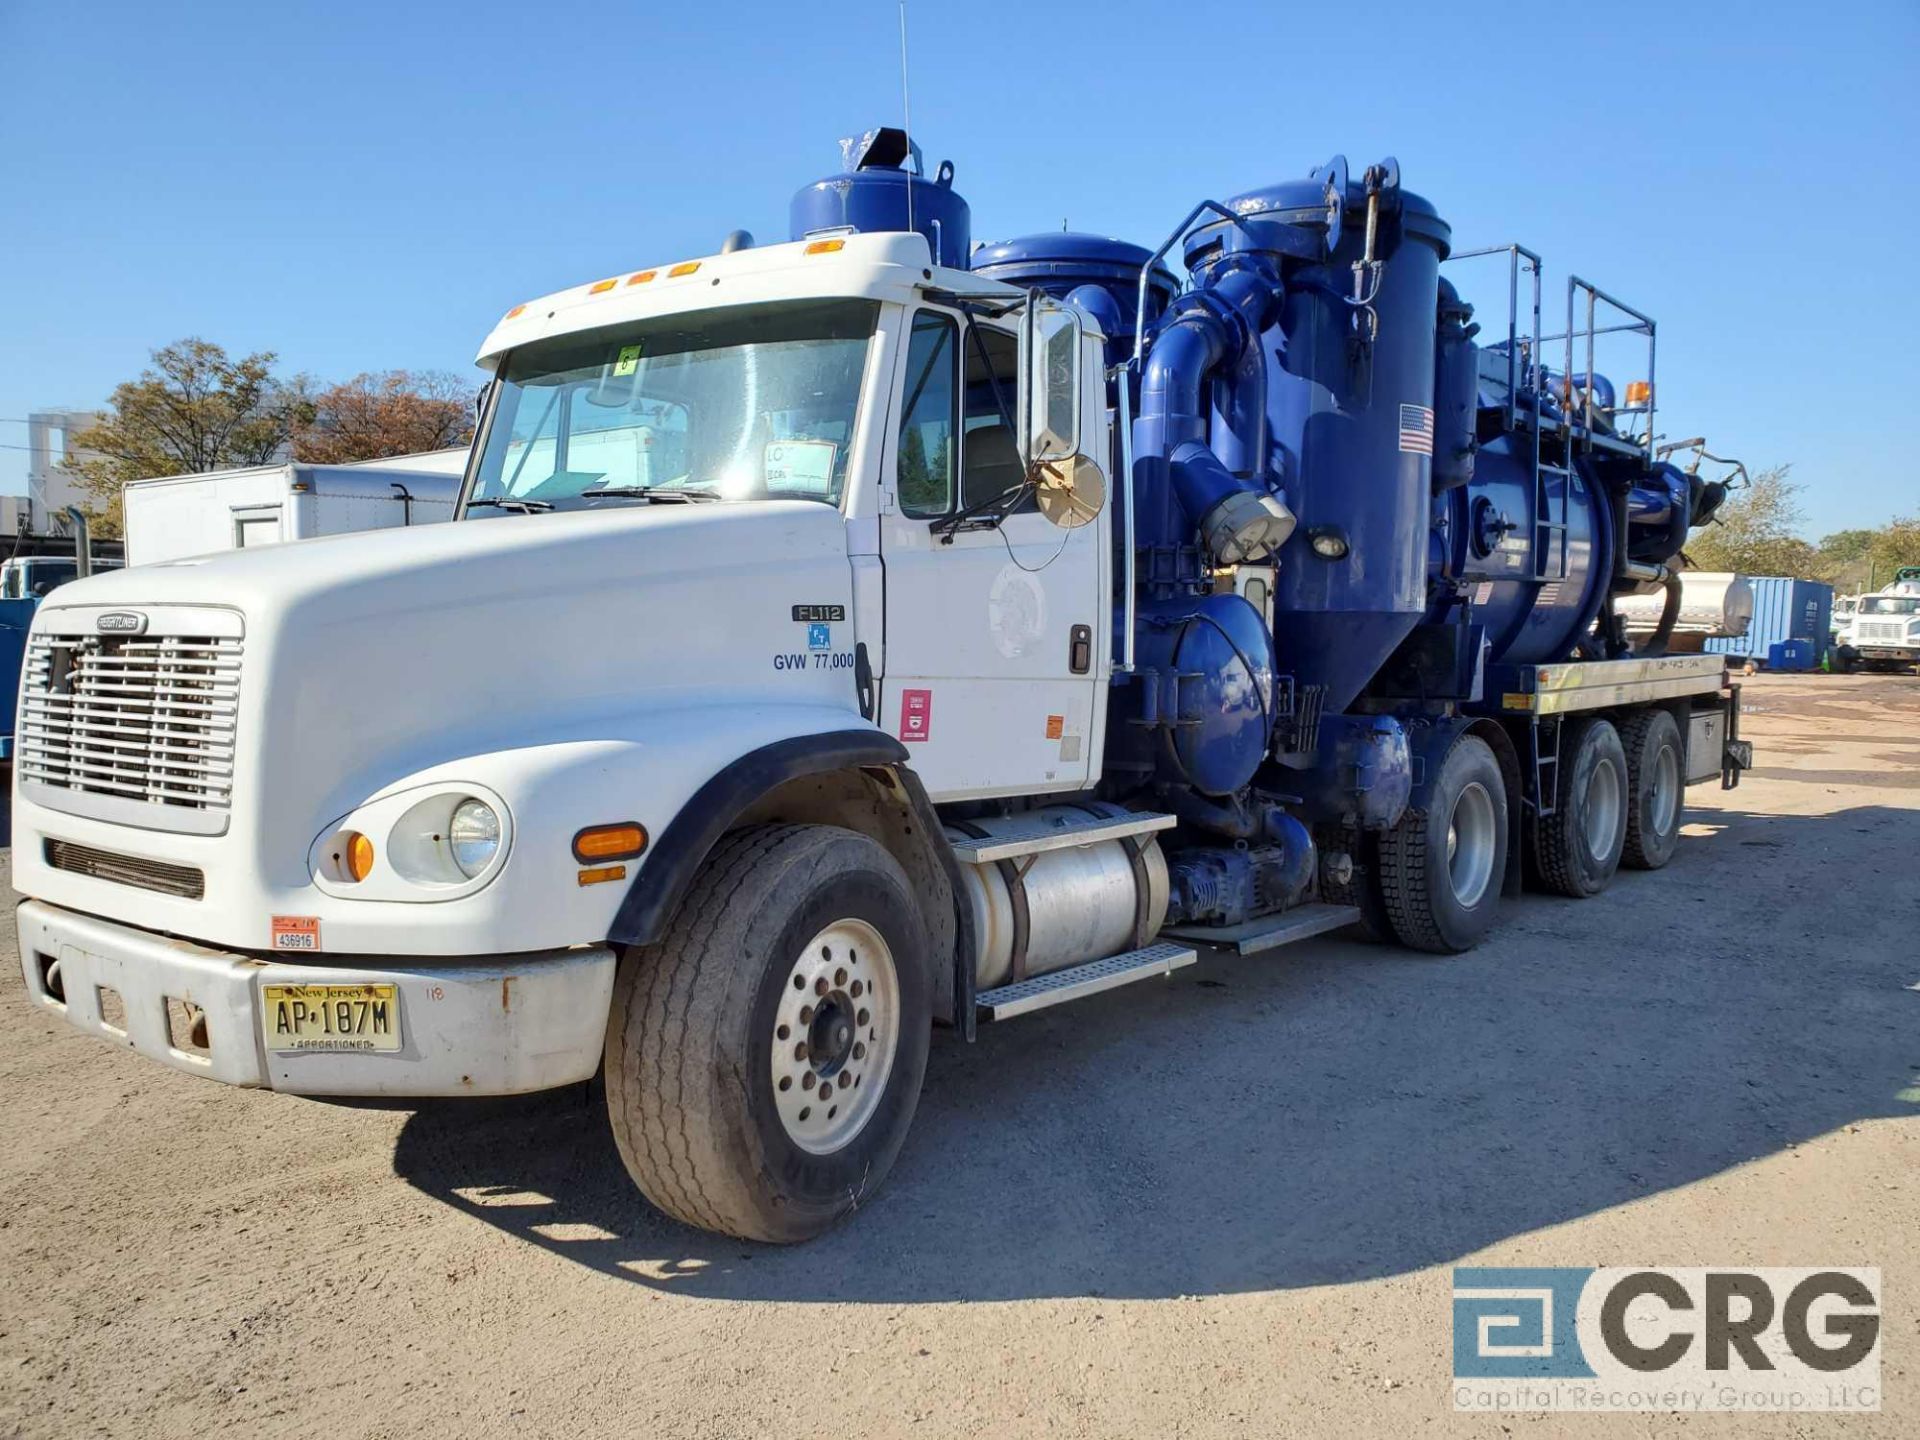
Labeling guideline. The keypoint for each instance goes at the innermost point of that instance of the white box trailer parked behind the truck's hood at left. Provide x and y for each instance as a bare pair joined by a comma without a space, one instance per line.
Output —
181,516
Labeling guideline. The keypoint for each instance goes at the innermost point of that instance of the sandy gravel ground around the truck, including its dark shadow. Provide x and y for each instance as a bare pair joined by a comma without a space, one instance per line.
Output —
1228,1207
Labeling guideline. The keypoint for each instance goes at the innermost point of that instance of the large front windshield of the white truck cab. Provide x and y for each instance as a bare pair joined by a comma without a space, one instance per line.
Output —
756,402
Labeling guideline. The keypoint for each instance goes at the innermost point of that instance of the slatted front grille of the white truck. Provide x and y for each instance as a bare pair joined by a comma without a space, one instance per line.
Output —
143,721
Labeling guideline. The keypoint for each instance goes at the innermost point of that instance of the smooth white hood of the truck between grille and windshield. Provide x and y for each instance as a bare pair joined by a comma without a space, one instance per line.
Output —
375,656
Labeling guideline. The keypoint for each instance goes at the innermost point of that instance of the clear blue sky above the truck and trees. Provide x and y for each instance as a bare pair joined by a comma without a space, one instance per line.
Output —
370,185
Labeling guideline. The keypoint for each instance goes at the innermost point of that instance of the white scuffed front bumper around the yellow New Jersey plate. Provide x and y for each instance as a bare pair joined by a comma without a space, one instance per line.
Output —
498,1026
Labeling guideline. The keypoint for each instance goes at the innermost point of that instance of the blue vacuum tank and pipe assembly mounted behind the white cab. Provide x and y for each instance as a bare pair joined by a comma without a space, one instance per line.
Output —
1349,548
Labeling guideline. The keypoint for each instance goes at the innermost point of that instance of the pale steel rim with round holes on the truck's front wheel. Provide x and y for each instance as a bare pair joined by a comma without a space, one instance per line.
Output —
836,1034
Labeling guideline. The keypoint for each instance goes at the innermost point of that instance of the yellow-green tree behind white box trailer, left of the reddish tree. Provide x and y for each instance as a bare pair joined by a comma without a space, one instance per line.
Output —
195,410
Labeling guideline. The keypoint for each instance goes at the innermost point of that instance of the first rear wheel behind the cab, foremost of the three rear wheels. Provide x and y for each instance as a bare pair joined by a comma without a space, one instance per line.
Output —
1443,867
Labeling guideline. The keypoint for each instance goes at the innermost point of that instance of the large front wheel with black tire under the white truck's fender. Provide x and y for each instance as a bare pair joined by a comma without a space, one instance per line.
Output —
765,1057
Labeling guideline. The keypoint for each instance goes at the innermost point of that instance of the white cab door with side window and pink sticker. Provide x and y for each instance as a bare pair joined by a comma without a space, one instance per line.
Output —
996,633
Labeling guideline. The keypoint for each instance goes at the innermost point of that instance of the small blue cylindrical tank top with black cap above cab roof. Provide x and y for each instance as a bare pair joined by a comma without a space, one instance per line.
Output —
876,191
